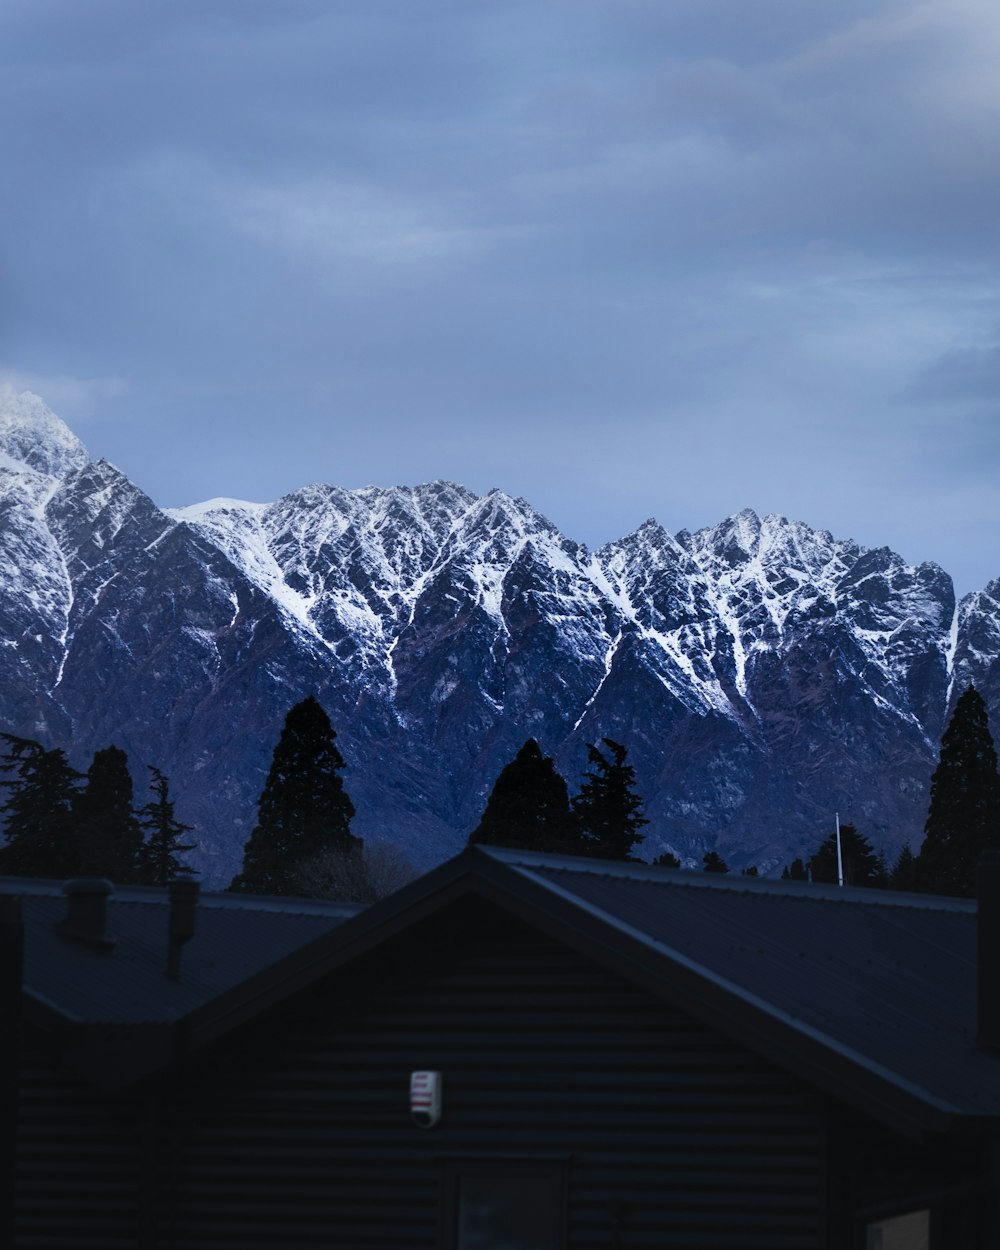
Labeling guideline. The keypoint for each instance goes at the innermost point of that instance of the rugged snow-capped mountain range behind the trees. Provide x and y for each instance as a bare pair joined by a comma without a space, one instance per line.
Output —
762,674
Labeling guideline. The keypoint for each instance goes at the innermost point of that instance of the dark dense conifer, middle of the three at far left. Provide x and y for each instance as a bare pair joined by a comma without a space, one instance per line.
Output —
108,831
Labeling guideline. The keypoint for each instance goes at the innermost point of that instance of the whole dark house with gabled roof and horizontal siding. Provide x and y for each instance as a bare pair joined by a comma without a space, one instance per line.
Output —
622,1057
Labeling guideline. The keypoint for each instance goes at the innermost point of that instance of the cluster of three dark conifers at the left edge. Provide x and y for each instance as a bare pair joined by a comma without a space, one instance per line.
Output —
59,823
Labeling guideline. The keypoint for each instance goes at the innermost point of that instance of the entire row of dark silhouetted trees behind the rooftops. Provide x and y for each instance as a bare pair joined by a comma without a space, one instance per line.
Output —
62,824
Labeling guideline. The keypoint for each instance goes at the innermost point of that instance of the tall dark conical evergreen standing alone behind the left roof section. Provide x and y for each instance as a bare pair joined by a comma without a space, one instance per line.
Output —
303,807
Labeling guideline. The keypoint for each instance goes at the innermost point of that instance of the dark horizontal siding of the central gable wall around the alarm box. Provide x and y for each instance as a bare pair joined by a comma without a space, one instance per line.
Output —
672,1136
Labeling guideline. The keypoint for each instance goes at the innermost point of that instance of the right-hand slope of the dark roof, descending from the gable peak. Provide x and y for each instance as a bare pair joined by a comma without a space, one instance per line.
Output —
876,987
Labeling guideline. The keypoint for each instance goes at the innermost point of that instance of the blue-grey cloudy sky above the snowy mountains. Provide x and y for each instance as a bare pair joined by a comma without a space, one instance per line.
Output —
623,258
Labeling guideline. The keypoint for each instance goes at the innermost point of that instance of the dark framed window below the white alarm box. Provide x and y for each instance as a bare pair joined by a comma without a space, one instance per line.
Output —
504,1206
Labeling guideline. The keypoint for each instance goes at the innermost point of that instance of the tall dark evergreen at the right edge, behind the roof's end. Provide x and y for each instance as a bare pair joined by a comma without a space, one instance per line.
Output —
964,814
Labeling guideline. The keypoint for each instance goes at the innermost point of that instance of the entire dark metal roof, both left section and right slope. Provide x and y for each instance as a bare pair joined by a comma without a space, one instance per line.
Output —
868,994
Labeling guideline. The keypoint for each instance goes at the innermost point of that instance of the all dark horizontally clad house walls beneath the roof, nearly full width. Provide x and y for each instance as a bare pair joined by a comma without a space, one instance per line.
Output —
294,1131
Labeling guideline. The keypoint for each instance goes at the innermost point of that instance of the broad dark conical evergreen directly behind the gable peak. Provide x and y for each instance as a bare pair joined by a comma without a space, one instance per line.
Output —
529,807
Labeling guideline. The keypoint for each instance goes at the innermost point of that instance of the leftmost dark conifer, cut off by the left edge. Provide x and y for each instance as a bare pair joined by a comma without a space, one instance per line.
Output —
38,811
